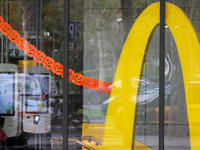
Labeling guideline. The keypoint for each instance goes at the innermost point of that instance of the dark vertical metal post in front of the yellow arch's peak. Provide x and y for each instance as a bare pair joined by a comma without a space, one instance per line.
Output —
162,75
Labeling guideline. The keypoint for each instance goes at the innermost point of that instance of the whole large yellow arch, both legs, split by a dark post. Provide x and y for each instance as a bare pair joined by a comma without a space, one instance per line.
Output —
121,110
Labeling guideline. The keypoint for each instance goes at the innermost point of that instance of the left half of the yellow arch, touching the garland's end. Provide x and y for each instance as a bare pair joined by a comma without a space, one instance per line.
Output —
120,117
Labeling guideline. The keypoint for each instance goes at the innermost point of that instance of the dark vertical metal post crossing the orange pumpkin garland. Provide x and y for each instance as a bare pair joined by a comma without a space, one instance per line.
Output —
65,74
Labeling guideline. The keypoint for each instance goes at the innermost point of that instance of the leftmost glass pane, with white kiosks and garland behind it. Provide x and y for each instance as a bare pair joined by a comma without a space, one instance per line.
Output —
30,87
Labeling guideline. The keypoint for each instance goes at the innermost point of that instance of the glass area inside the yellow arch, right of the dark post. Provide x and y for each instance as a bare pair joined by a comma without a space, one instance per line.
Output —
176,120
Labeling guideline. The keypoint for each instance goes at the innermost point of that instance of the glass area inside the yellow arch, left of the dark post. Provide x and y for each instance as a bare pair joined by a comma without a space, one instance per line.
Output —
148,97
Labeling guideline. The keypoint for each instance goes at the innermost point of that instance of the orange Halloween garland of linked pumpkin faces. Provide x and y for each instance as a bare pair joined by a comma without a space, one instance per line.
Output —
50,63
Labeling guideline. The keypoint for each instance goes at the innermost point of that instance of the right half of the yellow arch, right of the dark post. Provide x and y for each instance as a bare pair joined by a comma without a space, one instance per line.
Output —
187,42
